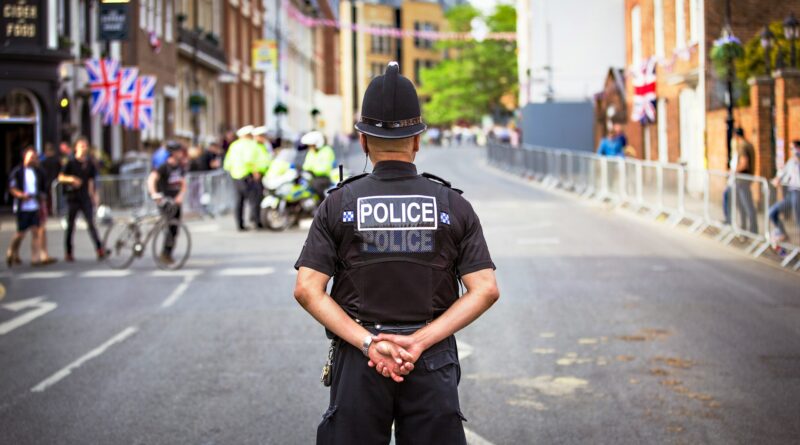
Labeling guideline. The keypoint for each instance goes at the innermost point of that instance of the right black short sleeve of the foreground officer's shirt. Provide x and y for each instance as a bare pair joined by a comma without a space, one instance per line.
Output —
473,253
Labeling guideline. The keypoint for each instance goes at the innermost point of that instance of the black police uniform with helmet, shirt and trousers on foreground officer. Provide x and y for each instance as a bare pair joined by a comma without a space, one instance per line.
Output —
396,243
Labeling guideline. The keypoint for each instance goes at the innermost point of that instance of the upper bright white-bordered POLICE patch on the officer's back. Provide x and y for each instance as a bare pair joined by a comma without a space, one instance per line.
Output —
400,212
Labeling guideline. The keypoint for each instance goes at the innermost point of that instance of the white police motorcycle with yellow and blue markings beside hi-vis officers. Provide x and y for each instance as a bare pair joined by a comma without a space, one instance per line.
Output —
288,196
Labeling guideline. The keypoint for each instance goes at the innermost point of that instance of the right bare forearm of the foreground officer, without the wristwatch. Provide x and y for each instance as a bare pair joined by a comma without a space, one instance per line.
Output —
481,294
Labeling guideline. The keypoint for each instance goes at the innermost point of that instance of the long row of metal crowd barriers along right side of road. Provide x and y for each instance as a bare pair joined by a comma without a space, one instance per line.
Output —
735,208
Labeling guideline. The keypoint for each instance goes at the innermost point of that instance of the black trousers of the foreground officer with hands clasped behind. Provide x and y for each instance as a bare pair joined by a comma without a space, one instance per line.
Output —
424,408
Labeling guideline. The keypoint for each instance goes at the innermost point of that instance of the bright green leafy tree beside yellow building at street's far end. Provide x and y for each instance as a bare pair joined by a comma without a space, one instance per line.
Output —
474,76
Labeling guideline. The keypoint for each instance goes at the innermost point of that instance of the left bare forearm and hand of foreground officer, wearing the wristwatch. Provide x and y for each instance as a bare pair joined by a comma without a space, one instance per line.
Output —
309,291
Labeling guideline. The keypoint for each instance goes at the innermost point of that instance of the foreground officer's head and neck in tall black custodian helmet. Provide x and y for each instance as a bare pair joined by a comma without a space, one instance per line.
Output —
391,120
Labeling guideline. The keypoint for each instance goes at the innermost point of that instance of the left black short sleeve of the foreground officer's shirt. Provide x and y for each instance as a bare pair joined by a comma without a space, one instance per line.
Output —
319,251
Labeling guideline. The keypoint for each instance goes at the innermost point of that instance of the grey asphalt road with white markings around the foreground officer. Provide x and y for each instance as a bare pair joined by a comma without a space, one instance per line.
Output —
609,330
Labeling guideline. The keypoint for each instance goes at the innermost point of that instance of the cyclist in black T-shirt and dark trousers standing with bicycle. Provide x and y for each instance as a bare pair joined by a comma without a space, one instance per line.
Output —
167,186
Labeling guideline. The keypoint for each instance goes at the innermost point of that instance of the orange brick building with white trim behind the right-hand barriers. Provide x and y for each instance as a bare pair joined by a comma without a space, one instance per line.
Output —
680,34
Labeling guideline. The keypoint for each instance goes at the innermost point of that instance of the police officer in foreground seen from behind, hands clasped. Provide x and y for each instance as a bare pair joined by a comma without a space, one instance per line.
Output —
396,243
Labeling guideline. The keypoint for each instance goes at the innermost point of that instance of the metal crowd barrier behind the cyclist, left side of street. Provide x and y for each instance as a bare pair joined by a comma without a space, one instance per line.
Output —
207,194
